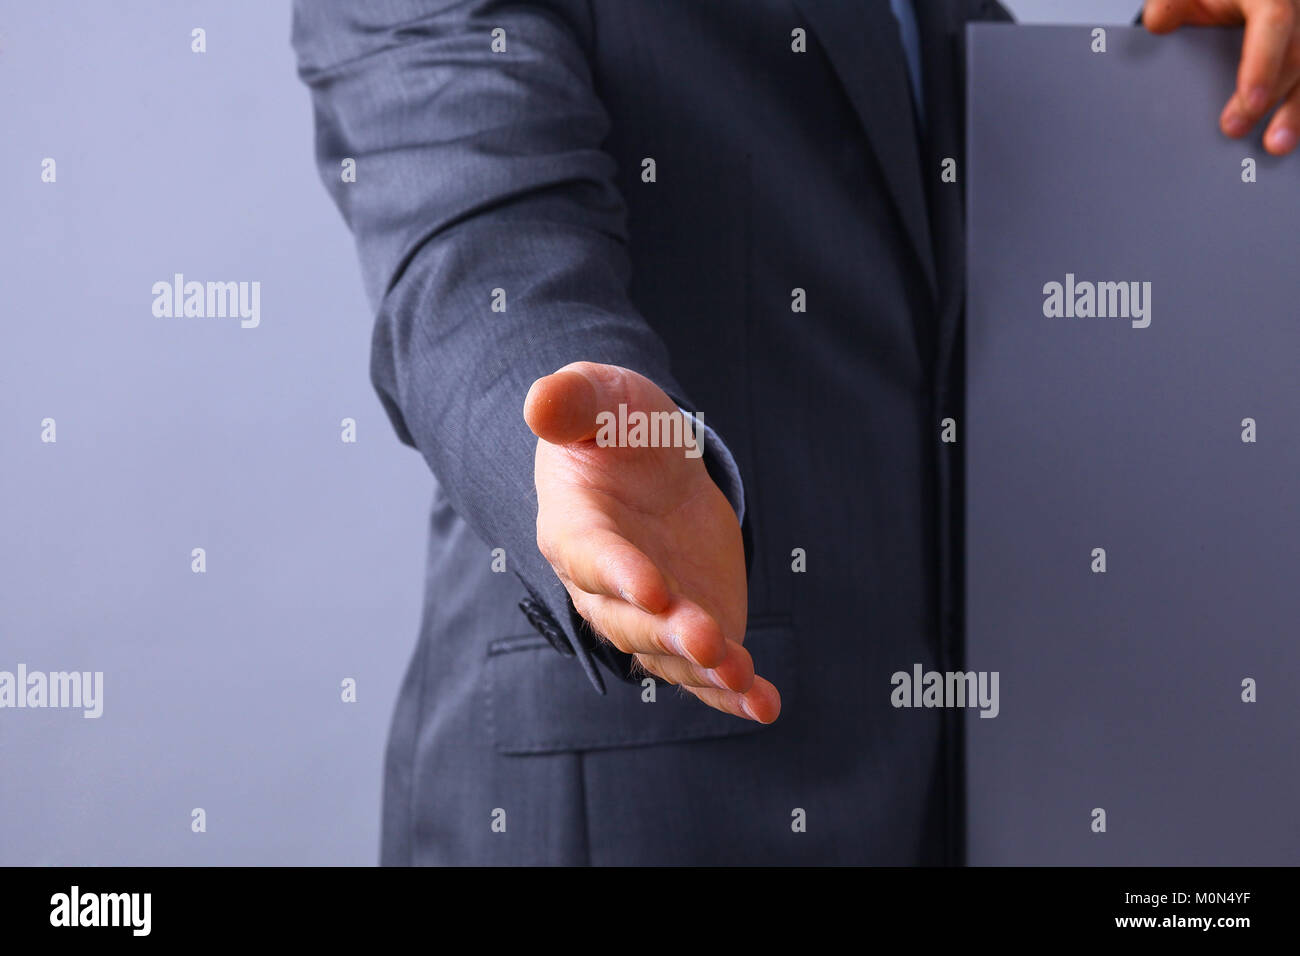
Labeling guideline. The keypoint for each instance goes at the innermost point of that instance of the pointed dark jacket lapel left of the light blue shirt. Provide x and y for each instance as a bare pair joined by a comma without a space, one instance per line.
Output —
861,40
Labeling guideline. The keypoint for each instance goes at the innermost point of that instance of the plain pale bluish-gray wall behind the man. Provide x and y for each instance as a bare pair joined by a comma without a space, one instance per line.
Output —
222,690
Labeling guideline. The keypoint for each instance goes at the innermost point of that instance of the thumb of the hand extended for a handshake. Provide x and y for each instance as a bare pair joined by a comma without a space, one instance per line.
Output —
562,408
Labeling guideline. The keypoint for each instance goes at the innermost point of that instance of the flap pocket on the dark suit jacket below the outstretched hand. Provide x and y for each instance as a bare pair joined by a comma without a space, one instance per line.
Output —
541,703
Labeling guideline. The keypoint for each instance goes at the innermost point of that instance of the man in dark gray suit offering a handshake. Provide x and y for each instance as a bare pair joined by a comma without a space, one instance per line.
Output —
756,189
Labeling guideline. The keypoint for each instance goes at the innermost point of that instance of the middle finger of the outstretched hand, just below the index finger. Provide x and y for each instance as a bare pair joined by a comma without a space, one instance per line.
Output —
684,631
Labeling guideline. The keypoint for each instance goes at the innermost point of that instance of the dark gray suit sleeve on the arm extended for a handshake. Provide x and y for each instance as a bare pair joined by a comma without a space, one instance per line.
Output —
492,240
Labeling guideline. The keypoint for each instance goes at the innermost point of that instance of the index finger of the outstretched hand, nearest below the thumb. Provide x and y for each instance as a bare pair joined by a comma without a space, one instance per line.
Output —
604,563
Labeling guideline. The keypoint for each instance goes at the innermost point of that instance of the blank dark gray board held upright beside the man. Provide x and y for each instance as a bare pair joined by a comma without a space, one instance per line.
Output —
1110,416
